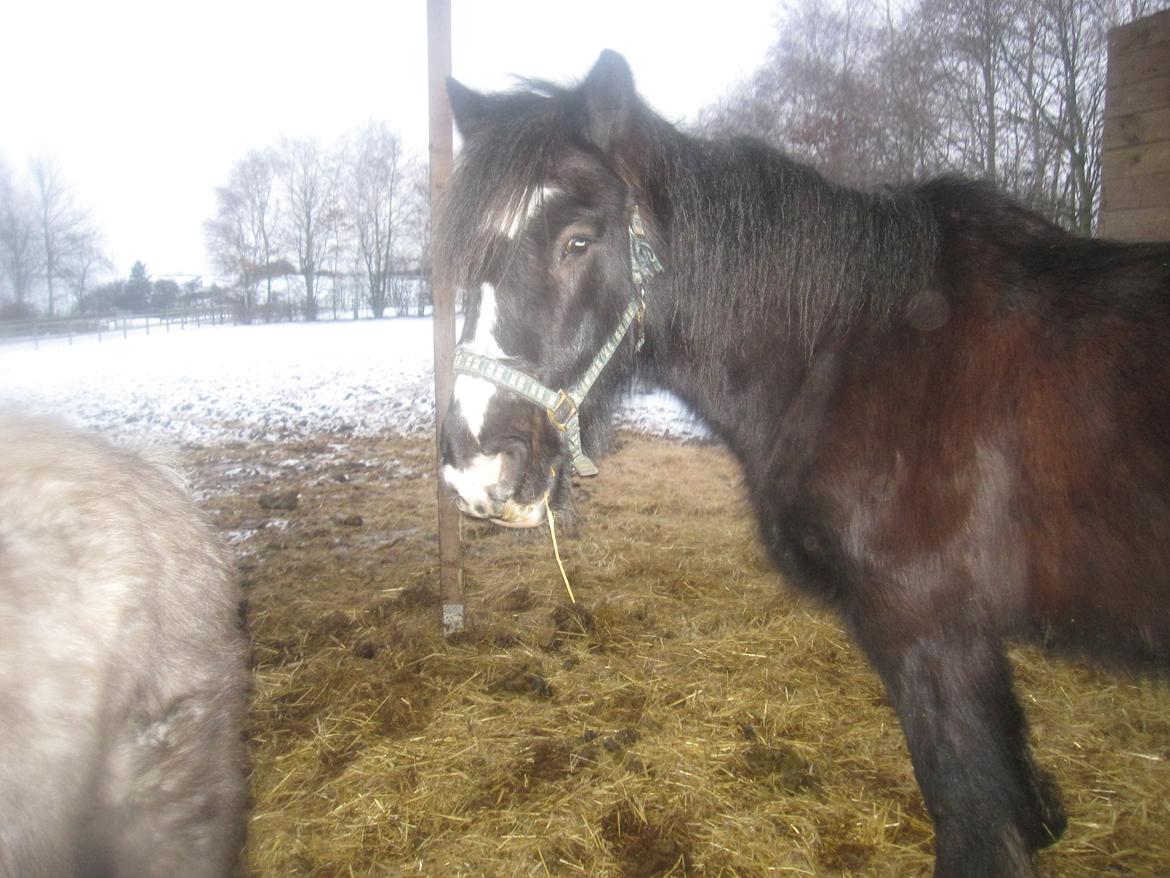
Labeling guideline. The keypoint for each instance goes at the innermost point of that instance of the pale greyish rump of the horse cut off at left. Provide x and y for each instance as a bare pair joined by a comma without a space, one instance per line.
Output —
123,676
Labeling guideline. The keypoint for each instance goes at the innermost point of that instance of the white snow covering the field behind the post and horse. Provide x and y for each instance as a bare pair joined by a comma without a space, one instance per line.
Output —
218,385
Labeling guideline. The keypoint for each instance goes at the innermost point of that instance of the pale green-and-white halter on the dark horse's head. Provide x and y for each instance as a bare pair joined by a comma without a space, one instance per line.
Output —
563,406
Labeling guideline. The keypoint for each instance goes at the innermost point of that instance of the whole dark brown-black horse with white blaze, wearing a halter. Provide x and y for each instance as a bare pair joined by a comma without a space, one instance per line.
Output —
953,416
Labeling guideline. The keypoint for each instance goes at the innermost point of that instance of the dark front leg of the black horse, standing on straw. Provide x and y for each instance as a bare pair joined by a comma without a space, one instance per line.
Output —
953,691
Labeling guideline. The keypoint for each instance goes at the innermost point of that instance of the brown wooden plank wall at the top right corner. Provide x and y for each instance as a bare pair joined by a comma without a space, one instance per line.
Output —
1135,152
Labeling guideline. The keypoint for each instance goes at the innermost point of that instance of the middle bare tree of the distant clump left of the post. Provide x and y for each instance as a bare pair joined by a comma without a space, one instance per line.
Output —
309,177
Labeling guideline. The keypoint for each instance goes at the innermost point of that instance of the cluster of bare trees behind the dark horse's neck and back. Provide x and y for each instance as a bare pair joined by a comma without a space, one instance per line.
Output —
1010,91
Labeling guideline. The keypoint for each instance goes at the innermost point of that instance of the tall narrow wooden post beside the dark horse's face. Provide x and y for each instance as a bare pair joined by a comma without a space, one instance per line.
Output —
451,551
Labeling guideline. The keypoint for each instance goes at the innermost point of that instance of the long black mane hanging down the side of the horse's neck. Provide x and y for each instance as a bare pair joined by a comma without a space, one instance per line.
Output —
760,236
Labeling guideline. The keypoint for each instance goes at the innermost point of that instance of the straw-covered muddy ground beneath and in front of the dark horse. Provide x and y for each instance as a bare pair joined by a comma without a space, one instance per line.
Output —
687,717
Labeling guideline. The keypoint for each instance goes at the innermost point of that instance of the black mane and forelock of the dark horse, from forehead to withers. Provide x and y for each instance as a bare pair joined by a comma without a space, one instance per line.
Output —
748,235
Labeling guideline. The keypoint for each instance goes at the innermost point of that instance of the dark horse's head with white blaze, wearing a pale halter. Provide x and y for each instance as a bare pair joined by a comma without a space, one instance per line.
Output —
542,236
